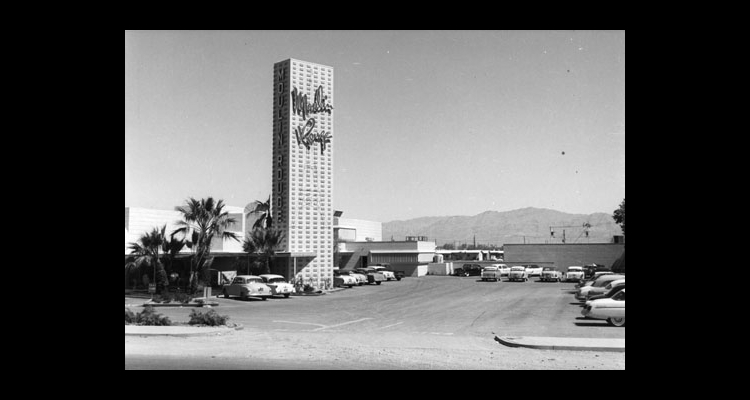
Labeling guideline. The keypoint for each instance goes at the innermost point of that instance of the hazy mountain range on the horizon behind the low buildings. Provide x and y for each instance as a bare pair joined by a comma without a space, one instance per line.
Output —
498,228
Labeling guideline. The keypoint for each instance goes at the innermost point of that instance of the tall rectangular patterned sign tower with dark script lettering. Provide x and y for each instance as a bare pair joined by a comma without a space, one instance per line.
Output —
302,193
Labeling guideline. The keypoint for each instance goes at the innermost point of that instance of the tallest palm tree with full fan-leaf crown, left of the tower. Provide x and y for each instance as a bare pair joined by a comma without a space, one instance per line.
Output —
203,220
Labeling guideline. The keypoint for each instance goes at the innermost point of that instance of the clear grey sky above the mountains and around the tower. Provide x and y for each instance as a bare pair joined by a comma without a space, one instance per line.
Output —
426,123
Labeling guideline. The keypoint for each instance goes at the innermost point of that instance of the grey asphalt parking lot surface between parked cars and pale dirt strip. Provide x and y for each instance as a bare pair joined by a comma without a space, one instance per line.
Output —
436,305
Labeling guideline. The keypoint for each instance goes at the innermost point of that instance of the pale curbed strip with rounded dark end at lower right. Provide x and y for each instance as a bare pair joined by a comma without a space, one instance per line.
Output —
555,343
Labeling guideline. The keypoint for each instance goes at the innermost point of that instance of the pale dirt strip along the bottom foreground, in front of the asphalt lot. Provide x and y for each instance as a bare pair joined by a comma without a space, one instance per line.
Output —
256,349
